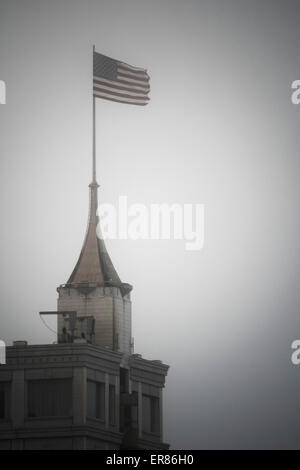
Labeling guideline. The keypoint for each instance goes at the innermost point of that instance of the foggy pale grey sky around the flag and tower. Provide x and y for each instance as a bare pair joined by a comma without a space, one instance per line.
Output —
220,130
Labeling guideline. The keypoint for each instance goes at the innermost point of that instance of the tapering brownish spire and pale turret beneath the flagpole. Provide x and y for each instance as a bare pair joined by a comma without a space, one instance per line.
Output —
95,290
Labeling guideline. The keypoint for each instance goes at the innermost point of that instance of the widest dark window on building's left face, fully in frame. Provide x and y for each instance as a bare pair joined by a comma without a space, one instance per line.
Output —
50,397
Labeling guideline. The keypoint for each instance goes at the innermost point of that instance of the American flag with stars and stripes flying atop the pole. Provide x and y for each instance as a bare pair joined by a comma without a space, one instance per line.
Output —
120,82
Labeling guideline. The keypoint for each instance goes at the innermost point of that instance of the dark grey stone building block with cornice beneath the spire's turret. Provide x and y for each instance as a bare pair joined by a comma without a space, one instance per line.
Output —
78,396
